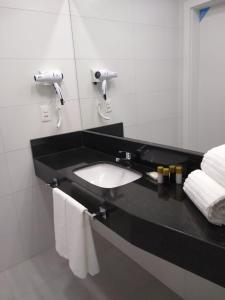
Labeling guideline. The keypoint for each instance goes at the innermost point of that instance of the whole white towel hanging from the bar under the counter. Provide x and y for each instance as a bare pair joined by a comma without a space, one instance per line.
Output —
73,235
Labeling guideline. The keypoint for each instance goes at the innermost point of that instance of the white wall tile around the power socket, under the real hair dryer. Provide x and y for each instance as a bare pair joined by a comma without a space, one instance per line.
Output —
22,123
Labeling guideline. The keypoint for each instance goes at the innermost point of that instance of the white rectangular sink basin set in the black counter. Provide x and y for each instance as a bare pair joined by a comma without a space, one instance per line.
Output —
107,175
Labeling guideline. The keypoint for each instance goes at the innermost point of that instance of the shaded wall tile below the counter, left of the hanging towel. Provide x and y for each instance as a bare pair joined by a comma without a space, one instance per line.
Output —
33,208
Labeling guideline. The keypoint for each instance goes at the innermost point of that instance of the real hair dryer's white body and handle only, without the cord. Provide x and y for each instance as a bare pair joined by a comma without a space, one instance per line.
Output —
51,78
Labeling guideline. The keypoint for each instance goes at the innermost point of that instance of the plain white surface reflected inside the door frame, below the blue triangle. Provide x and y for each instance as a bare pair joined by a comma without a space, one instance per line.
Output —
211,92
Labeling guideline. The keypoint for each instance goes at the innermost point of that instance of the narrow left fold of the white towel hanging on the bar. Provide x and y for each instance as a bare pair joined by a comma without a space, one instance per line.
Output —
59,206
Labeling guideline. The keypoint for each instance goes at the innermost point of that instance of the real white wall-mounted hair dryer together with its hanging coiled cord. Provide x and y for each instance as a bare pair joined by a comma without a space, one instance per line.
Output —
52,78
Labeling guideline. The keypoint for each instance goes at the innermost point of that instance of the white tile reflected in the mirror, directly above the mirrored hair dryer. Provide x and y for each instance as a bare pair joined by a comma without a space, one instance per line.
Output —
101,39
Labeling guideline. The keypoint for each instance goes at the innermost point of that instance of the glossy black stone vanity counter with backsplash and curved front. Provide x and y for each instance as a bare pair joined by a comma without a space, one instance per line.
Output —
158,219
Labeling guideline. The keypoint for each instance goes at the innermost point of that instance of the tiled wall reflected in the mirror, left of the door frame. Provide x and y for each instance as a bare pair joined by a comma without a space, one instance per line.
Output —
138,39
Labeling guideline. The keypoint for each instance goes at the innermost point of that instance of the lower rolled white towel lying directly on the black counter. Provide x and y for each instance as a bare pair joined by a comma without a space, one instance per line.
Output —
207,195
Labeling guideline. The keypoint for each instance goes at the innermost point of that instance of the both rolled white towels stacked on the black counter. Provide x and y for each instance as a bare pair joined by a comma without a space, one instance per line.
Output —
206,187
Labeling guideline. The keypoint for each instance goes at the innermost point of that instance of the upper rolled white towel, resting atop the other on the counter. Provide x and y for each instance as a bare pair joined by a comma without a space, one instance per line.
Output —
213,164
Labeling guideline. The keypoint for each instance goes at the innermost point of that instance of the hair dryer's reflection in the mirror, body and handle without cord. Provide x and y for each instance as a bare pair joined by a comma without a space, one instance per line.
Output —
102,76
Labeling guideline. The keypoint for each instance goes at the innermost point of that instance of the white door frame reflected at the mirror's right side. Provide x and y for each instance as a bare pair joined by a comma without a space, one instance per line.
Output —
189,109
